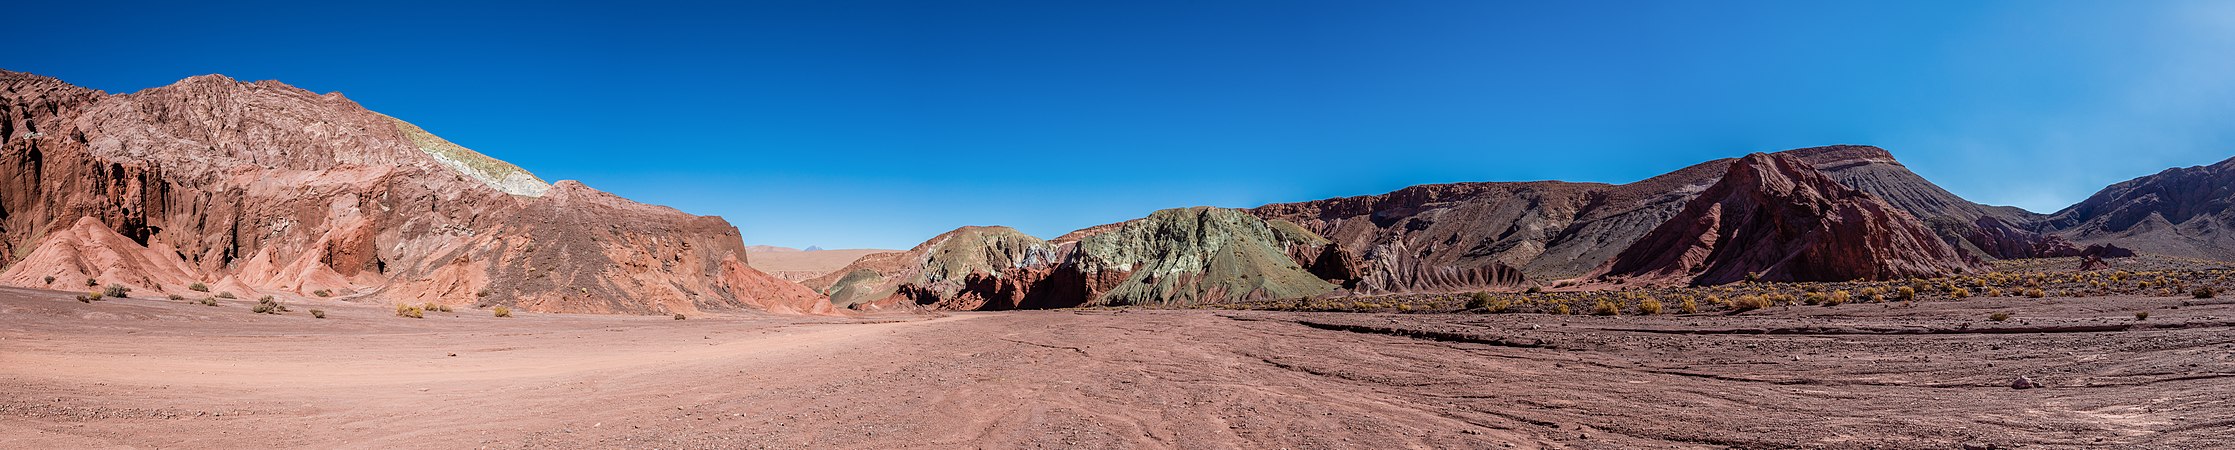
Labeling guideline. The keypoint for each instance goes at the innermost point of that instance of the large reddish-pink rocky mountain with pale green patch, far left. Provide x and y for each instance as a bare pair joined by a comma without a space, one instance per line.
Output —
269,189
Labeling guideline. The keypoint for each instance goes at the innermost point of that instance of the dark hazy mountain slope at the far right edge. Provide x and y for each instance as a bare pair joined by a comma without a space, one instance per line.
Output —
2180,212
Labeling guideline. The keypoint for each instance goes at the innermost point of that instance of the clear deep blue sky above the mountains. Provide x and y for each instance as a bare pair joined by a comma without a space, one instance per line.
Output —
882,124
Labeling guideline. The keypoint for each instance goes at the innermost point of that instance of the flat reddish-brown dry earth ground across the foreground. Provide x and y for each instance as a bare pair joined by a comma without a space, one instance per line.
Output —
171,375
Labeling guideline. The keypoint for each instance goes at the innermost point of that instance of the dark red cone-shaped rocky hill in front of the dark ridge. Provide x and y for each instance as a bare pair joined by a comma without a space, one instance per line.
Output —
1785,221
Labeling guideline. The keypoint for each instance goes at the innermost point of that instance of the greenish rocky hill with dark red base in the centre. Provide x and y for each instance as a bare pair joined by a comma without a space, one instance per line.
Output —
1181,256
